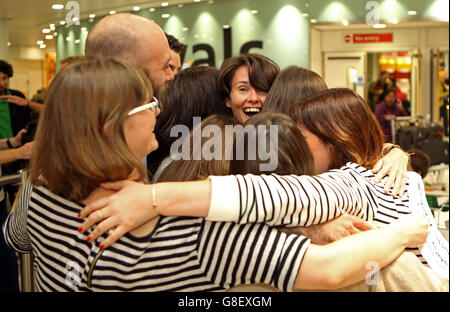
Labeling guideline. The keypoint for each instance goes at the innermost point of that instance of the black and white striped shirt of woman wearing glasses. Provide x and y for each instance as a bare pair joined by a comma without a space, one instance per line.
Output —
180,254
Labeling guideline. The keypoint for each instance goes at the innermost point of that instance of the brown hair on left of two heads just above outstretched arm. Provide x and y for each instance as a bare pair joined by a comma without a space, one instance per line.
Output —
191,169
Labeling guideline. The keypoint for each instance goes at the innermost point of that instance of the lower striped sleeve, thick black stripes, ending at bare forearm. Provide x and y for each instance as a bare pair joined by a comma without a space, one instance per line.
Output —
232,254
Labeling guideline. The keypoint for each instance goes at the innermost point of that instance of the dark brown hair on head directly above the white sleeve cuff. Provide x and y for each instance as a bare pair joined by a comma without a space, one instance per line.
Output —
293,154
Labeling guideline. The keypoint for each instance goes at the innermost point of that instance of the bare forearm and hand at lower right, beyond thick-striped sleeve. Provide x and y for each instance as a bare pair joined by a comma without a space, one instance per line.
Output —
343,262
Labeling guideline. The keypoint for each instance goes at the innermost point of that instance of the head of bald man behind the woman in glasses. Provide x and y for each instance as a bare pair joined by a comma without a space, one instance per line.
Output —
134,39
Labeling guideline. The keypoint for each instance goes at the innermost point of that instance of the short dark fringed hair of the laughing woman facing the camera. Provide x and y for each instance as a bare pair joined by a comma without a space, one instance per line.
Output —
262,71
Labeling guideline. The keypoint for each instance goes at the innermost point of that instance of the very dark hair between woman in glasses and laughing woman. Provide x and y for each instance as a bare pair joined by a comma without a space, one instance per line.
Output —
193,93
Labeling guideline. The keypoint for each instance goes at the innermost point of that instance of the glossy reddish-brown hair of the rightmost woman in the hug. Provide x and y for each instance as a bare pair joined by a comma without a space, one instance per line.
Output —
344,121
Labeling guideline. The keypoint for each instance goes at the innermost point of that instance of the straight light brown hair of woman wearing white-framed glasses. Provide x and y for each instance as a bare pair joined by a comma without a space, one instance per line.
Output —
80,140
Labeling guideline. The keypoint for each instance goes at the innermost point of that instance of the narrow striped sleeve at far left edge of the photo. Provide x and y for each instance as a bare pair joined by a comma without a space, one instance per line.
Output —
15,228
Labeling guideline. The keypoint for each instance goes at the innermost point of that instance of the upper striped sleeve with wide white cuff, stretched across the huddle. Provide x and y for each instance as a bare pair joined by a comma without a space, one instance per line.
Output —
289,200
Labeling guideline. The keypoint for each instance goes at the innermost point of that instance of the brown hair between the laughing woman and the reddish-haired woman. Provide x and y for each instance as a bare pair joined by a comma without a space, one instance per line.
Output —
292,83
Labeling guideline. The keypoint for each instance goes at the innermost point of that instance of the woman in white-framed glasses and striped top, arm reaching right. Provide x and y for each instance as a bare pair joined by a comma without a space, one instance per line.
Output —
112,132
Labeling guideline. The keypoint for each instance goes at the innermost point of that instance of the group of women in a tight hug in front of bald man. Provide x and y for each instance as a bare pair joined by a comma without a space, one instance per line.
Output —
108,208
